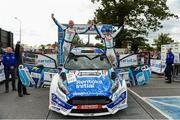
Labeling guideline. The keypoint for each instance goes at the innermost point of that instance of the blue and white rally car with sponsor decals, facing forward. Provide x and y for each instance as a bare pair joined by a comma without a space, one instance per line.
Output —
87,85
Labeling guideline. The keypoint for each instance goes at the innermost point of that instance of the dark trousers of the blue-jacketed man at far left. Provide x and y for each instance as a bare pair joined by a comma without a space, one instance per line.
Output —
9,72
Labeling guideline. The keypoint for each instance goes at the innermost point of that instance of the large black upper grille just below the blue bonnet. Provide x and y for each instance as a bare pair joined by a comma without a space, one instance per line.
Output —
90,100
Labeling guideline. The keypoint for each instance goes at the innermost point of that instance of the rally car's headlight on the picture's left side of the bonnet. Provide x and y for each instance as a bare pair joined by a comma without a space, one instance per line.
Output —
61,83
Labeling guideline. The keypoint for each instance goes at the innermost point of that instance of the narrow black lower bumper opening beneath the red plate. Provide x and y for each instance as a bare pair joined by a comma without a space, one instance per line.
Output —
103,110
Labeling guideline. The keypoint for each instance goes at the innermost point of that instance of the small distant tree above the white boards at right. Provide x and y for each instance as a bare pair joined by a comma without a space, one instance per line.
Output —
161,40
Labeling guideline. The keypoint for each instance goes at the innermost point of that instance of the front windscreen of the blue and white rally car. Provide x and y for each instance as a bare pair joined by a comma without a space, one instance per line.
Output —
87,62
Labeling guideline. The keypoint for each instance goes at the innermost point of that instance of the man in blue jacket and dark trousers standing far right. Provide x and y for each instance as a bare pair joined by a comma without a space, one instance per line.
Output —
169,67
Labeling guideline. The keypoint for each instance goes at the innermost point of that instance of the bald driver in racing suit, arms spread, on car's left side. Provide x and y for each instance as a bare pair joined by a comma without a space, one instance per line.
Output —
69,33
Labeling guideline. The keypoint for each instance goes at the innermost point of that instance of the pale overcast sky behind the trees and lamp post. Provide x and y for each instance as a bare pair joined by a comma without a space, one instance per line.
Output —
38,27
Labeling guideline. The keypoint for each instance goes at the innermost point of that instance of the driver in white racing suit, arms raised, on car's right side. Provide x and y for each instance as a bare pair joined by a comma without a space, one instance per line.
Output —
109,43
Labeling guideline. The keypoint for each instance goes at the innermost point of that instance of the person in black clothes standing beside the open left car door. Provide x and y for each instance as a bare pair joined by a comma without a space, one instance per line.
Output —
18,55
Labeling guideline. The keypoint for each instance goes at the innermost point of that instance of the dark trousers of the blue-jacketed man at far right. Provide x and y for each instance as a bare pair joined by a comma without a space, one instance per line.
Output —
168,72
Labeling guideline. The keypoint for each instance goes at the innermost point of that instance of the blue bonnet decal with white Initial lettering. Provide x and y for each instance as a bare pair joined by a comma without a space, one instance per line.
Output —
90,86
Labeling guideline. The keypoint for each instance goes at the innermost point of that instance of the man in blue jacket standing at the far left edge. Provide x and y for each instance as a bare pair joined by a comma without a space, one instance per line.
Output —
9,63
